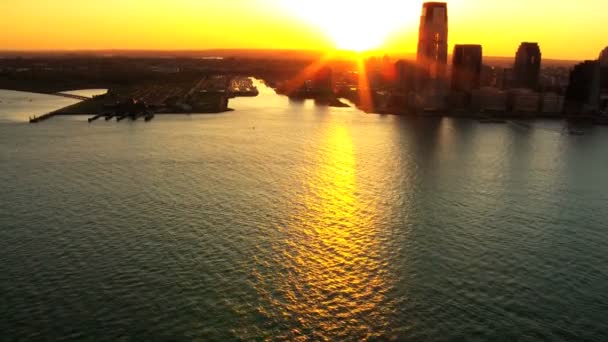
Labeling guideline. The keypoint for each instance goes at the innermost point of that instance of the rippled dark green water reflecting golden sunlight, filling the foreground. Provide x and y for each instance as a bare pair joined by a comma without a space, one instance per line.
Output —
286,221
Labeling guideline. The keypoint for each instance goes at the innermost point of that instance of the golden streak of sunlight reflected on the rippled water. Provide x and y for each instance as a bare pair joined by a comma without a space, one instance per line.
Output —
333,286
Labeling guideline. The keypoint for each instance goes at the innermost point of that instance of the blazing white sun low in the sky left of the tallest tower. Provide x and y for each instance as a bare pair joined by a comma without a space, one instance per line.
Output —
356,25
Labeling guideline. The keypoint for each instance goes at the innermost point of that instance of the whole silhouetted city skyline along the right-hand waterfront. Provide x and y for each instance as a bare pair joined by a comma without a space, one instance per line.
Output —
430,83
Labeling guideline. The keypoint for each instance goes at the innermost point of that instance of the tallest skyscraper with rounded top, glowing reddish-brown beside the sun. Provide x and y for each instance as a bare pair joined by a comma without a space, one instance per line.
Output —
433,40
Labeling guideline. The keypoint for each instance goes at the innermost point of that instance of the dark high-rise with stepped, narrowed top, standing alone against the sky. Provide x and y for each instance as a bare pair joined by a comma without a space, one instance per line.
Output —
526,71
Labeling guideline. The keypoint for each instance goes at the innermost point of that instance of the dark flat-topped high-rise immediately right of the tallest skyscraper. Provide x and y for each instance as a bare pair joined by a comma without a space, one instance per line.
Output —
466,67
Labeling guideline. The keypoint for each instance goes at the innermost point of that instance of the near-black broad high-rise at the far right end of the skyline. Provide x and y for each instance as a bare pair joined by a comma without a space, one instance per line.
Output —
583,94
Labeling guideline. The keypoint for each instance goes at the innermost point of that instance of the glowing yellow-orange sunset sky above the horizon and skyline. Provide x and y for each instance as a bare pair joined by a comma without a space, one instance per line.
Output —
565,29
